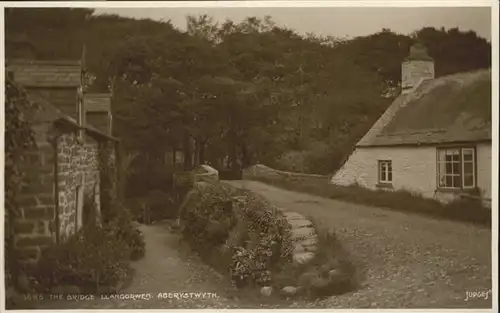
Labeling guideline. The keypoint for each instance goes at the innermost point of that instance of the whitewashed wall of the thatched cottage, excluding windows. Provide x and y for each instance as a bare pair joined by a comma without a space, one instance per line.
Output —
414,169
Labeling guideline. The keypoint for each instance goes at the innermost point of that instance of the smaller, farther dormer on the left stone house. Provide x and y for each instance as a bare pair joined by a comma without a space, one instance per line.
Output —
98,111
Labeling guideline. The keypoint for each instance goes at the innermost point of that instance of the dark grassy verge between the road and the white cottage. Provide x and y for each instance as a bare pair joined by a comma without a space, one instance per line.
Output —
464,210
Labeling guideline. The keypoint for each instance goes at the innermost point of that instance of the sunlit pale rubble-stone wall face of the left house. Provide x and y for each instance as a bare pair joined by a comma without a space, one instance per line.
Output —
78,168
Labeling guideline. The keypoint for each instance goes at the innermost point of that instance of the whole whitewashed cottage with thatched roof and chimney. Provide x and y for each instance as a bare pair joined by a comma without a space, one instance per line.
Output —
434,139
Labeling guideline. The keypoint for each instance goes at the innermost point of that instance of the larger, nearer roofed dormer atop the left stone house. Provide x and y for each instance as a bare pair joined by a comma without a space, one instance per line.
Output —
54,81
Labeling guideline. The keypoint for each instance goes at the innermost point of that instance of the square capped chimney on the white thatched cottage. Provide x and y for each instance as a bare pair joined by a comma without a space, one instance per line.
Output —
416,67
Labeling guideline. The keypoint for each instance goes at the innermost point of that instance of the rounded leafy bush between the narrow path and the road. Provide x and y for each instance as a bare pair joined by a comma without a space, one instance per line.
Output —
250,236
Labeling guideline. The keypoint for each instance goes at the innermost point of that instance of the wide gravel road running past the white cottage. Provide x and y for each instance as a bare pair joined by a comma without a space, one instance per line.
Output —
408,261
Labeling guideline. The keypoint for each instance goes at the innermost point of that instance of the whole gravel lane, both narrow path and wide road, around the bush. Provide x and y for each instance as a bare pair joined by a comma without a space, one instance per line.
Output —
407,261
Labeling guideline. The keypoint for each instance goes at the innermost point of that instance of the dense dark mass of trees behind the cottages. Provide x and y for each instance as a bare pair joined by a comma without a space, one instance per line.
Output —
251,91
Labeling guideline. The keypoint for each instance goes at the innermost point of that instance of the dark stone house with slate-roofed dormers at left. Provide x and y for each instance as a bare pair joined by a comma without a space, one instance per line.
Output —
64,172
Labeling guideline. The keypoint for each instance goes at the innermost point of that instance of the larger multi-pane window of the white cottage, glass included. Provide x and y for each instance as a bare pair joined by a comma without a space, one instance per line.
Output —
456,168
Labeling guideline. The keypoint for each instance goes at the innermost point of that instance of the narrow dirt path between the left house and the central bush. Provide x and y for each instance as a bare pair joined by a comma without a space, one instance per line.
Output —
168,277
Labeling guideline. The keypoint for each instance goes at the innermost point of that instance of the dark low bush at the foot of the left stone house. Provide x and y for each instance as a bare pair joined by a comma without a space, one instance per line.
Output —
93,258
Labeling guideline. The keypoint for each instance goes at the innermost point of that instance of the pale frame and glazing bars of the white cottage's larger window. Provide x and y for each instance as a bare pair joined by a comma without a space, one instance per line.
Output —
462,150
